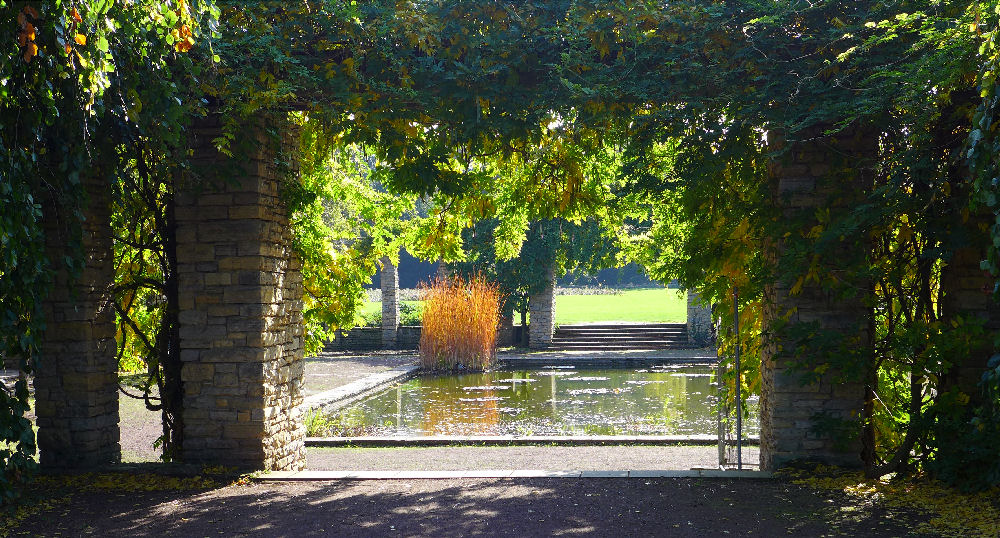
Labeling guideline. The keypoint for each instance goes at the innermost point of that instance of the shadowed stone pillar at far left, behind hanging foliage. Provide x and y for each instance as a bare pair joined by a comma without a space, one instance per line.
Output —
76,381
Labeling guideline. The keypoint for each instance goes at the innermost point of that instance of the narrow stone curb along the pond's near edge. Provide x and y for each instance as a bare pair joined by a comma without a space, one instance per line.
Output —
456,440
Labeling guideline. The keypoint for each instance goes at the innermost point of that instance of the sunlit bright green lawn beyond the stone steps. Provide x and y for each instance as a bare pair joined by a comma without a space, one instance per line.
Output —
642,305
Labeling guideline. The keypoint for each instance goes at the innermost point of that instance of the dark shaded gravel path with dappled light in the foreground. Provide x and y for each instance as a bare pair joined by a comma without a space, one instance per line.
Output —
476,507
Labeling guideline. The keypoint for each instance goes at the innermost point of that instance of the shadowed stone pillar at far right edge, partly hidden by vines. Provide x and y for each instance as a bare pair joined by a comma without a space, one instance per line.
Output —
967,292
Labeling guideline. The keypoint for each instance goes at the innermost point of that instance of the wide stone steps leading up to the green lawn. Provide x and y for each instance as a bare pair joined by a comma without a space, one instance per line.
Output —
617,337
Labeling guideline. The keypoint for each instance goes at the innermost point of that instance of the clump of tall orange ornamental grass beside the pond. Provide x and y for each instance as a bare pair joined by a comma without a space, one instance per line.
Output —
460,319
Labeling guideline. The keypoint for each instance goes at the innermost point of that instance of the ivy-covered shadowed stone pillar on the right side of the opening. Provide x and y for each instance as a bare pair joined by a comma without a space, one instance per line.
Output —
799,415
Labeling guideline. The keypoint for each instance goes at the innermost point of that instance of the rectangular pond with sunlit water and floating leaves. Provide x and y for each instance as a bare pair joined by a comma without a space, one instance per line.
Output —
677,399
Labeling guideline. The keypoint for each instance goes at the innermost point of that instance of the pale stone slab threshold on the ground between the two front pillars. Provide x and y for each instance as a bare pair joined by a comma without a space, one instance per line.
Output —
319,476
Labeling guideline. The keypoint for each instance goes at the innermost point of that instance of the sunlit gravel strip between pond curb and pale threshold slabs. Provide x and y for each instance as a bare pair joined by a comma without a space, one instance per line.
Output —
548,458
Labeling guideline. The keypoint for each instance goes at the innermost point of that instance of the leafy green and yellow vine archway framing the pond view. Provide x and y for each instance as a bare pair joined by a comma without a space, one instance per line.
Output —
511,108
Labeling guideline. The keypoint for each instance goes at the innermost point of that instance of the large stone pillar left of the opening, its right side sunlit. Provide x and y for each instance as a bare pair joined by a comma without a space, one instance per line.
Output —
240,308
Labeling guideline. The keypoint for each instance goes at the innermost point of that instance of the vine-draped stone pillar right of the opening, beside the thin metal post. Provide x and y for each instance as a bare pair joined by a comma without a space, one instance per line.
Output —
789,409
